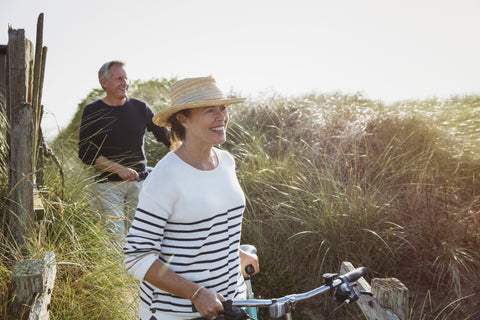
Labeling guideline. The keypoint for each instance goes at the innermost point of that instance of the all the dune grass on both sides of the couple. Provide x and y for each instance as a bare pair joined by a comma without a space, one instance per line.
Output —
328,178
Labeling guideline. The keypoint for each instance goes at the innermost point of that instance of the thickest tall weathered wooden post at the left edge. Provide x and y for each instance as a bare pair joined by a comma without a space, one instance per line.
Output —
19,105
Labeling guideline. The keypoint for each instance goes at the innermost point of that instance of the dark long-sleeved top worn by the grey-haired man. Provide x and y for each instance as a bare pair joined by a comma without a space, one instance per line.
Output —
117,133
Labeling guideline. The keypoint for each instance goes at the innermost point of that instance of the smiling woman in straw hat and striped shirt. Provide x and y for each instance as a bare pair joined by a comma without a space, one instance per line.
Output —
183,244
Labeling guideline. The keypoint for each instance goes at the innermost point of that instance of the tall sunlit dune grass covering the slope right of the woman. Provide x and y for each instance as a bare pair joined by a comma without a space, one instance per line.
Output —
335,178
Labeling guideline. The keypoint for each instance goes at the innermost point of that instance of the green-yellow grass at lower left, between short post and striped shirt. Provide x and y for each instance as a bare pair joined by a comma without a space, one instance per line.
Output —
91,282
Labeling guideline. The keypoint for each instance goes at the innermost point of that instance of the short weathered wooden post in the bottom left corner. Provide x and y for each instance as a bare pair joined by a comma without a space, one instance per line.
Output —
33,281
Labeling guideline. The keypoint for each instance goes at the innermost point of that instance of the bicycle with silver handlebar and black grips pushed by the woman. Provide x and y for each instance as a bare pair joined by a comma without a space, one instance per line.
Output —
341,286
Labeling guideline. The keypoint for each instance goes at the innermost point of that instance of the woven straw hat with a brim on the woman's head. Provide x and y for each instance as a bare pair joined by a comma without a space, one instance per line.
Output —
193,93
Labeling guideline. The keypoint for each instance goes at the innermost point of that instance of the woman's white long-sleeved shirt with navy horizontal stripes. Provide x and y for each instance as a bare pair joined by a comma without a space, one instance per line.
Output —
191,220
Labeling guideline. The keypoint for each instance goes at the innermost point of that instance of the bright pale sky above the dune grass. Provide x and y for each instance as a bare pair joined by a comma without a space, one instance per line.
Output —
387,50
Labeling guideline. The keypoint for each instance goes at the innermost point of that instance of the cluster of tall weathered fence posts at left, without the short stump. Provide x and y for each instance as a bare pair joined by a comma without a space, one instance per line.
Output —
24,81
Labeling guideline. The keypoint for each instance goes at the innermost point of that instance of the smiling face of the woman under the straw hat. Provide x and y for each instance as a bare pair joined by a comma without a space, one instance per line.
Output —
206,125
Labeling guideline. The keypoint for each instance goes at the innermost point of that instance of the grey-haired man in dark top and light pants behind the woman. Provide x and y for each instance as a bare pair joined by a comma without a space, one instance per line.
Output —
111,139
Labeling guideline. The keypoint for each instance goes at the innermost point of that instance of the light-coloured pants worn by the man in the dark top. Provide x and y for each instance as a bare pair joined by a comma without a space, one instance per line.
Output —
117,202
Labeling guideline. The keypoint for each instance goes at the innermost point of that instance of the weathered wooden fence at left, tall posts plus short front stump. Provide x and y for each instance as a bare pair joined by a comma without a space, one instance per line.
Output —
21,81
